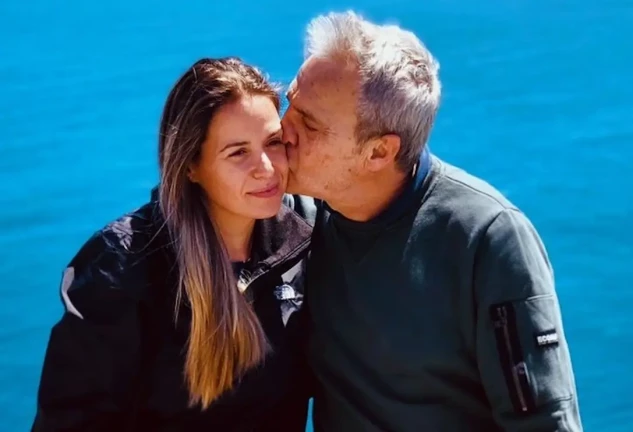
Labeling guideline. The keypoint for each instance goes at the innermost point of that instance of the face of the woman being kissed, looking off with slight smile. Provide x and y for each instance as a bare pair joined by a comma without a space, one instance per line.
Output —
242,166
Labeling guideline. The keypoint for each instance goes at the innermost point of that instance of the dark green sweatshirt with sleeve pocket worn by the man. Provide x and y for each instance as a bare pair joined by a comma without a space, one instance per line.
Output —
441,317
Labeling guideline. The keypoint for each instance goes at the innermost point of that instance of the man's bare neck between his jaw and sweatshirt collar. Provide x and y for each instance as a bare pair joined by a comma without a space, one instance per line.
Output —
368,199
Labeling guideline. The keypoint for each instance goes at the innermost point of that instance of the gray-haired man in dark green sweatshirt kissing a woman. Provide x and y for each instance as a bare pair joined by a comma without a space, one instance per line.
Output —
431,297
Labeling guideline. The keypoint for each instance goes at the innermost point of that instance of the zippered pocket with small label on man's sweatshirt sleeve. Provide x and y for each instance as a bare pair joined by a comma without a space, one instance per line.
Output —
530,342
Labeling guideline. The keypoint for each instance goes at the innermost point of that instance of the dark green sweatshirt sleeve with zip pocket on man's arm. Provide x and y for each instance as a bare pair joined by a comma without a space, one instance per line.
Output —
521,349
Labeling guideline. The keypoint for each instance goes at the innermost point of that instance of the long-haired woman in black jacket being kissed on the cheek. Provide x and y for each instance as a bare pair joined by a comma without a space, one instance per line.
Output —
181,316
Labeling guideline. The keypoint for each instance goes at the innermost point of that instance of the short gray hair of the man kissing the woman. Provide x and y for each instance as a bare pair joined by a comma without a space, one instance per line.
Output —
399,83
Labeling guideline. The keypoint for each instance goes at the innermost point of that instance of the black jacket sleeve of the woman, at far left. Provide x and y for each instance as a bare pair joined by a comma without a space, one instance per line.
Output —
92,358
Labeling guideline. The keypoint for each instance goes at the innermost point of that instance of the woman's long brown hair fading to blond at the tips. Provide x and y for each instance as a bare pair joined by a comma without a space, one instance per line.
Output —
225,338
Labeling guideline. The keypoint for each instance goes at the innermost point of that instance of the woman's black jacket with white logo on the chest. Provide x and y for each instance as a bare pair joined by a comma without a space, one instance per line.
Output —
115,360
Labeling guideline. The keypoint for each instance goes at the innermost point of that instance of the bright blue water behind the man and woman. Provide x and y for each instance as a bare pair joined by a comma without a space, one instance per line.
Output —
537,100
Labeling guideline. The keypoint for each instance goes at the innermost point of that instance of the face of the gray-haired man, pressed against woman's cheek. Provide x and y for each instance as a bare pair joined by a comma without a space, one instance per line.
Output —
318,126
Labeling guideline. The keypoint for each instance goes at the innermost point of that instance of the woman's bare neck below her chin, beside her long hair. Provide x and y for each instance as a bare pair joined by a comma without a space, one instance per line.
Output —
236,233
